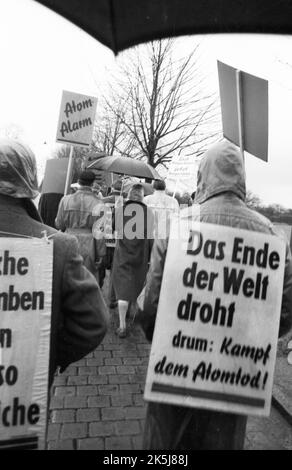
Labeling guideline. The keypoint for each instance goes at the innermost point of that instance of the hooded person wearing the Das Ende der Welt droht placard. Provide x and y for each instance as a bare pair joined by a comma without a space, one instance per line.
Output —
220,199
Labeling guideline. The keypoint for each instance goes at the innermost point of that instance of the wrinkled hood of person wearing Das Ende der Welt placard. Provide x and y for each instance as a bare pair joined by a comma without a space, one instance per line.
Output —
221,170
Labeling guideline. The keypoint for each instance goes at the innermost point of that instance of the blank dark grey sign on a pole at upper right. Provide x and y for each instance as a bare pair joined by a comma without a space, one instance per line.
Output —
255,103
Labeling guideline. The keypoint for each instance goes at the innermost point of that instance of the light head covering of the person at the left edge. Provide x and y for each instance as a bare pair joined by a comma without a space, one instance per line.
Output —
18,174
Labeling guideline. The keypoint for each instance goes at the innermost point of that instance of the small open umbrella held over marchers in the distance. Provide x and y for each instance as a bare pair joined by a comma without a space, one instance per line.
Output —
125,166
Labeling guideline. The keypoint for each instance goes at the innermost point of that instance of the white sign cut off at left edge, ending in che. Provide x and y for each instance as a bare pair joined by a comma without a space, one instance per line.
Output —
25,307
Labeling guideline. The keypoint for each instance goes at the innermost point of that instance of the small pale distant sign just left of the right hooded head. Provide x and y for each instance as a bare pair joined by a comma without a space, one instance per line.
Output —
182,174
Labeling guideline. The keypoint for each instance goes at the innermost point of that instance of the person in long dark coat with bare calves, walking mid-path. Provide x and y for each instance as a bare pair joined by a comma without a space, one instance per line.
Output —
134,223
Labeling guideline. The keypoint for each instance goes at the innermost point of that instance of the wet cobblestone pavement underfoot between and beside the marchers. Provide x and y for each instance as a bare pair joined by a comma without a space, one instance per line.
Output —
97,403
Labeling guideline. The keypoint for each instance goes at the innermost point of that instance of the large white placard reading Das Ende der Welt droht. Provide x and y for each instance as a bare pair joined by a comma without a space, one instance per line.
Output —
215,338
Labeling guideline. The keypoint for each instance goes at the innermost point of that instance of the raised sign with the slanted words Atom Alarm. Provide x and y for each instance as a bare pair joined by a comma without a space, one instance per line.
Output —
76,119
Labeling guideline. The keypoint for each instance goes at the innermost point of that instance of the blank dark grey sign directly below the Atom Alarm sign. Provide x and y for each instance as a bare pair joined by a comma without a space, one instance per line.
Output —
55,176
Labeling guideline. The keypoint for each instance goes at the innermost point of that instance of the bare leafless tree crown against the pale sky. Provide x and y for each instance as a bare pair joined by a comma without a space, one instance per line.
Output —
161,105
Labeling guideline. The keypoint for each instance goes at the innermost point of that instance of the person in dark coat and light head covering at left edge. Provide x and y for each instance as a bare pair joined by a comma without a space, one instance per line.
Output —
79,317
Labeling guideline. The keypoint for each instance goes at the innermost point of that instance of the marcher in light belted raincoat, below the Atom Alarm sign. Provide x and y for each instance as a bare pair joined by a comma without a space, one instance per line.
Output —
82,215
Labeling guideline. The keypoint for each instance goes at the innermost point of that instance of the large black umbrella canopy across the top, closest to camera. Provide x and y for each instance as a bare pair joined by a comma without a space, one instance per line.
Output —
119,24
